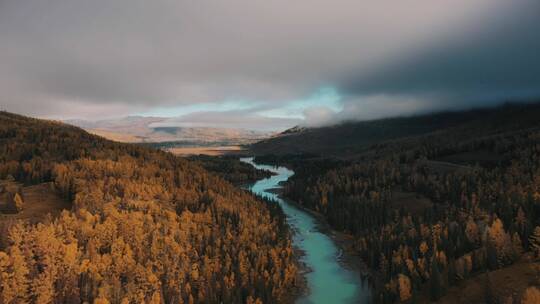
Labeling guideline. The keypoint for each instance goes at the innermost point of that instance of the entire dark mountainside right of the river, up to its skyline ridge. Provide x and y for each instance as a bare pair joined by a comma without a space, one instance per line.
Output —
435,205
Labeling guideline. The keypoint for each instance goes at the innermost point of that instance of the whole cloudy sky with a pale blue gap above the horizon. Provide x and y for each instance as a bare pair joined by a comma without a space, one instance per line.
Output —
265,64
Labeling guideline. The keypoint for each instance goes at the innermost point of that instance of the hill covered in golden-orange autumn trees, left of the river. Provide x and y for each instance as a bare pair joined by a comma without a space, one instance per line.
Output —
144,226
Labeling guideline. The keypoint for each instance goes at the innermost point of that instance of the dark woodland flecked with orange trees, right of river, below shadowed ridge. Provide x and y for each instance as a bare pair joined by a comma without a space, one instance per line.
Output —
429,211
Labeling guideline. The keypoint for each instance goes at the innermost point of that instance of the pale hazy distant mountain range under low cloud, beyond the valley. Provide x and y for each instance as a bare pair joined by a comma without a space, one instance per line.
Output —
140,129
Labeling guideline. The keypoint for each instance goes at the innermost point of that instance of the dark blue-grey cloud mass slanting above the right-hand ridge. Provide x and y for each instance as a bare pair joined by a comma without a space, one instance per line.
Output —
496,63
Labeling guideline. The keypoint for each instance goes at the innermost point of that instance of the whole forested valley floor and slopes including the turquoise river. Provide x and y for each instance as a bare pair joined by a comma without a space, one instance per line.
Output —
418,215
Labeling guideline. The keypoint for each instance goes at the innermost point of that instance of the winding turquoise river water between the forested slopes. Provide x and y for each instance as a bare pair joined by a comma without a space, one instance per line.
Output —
328,281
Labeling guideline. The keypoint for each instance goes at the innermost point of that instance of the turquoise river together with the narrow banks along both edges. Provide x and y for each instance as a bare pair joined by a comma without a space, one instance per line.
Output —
330,276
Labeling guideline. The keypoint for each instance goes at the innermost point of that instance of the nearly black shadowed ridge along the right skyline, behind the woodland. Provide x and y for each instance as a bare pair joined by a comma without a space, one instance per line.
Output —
350,138
